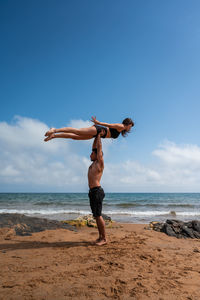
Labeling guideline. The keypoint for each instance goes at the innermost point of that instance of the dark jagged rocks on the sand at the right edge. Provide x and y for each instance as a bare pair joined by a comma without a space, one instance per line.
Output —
178,228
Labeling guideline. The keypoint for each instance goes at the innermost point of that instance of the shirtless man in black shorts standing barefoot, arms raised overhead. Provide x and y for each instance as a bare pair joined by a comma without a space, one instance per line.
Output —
96,193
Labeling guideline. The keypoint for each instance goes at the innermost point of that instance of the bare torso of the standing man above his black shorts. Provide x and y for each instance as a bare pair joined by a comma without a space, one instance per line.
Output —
95,172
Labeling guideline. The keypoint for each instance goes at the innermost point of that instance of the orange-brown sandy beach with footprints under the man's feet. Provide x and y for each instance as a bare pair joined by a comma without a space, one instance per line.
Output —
135,264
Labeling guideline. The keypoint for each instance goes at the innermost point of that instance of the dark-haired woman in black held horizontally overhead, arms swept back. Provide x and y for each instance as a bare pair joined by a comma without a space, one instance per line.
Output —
106,130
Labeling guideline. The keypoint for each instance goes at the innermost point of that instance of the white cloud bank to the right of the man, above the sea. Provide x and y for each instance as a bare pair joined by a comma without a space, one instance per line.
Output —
176,169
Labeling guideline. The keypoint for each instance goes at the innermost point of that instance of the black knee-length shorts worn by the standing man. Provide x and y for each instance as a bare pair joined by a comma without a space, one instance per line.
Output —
96,196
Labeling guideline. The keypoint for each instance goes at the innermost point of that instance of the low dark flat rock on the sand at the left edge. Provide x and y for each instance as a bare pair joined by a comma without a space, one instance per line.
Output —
24,225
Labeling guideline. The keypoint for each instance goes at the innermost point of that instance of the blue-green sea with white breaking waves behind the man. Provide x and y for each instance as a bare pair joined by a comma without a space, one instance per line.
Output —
139,208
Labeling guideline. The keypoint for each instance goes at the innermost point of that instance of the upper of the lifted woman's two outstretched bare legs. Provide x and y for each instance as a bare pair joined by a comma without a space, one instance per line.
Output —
81,131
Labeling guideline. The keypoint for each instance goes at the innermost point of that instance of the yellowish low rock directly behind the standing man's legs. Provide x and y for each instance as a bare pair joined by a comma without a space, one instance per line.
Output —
89,221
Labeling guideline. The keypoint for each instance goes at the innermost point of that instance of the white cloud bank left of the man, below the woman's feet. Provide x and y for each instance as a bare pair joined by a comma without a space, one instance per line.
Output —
27,160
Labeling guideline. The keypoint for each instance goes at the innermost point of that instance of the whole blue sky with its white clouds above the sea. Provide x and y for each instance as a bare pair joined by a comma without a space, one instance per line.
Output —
63,61
